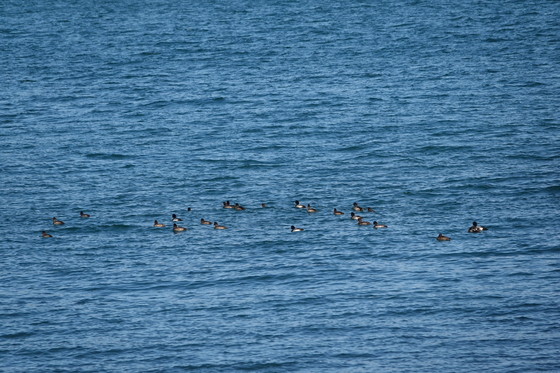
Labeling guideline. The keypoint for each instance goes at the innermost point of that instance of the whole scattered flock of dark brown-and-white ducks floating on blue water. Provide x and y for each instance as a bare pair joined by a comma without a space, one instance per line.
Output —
475,228
